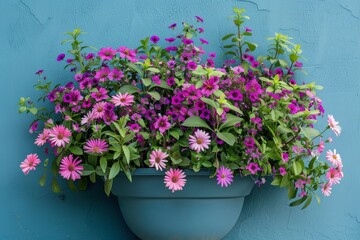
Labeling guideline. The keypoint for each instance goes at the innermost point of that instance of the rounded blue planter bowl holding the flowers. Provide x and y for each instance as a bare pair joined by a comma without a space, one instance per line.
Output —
203,210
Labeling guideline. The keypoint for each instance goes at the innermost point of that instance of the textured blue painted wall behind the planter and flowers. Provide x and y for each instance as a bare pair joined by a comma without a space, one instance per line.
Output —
30,36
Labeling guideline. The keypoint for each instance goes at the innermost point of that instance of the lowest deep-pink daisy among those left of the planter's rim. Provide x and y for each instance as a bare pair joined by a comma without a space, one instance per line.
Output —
70,168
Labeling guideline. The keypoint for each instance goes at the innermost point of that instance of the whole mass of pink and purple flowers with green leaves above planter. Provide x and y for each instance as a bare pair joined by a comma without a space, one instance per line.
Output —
166,108
